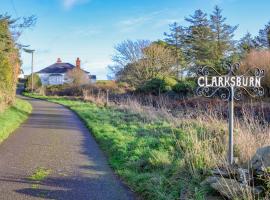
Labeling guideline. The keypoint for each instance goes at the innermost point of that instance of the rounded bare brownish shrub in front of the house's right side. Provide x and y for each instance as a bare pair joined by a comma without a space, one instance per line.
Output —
78,77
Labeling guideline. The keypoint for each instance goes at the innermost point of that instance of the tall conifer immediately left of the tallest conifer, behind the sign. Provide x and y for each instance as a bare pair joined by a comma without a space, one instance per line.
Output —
200,45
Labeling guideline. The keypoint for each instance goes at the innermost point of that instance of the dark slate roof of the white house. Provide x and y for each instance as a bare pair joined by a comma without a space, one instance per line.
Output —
58,68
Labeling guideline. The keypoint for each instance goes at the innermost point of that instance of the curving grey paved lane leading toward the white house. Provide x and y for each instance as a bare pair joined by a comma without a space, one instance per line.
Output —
55,139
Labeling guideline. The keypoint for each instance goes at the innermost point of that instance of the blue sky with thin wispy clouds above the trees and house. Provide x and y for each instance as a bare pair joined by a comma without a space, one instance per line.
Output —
90,29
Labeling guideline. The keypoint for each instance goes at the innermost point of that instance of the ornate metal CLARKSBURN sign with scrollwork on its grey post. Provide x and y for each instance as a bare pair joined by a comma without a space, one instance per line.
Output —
229,87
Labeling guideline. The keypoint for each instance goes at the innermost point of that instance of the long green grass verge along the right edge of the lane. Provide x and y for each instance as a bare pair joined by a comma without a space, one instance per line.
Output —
152,157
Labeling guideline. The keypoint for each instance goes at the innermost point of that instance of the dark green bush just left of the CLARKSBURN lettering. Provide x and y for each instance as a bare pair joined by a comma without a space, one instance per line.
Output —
185,87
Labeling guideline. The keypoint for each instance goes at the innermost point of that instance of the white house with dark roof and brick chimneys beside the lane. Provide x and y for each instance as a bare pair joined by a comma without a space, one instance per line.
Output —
57,73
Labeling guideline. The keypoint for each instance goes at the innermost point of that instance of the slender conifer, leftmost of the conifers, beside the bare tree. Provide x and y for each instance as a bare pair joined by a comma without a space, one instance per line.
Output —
176,39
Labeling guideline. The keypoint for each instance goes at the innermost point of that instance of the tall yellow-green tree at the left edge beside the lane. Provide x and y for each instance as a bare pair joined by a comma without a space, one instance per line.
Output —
10,30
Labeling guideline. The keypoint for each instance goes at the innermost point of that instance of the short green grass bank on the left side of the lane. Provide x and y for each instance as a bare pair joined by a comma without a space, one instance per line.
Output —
12,117
